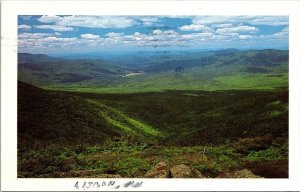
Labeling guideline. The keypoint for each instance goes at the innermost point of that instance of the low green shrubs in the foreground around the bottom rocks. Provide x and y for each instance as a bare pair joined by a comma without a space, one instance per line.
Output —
264,156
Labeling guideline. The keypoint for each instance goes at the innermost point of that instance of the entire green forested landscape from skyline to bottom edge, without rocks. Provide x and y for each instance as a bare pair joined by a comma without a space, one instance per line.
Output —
222,112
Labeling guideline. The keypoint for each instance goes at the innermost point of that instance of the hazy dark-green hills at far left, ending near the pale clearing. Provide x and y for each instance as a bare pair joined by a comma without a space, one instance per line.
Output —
45,70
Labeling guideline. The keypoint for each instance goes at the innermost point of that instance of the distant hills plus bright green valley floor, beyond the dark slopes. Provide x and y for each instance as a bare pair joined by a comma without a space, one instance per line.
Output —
222,69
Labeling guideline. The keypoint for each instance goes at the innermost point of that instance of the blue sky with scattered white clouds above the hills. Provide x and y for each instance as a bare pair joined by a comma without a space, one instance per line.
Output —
75,33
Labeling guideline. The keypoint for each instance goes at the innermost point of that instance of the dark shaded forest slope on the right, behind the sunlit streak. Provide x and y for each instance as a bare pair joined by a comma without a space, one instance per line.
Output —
196,117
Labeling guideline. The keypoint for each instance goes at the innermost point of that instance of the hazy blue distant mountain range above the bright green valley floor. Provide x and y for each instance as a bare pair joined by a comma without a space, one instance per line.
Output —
43,70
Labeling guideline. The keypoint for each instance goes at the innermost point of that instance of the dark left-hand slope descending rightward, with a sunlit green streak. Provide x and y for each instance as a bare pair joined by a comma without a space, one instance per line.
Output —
46,117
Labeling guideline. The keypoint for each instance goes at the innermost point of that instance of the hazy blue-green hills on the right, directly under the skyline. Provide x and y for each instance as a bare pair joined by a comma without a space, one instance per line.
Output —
252,58
